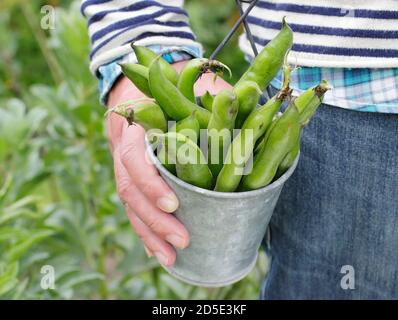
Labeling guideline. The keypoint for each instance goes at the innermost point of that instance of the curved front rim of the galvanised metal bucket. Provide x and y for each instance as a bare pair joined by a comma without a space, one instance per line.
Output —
217,194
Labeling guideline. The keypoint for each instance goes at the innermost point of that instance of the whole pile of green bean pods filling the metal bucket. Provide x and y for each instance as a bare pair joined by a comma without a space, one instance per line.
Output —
268,139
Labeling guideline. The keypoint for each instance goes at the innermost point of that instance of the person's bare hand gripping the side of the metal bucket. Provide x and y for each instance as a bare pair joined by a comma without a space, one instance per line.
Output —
147,198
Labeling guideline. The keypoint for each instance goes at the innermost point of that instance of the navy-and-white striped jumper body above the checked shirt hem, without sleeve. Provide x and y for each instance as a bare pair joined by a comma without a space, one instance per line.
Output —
331,33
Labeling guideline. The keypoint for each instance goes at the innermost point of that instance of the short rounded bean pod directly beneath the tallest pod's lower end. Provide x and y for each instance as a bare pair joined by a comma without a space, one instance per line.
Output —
248,94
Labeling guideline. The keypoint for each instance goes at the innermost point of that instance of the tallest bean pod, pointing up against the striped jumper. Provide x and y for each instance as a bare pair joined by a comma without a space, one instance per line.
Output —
268,62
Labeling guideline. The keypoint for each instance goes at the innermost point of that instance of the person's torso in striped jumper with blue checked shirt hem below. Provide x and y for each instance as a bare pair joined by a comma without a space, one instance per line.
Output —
351,43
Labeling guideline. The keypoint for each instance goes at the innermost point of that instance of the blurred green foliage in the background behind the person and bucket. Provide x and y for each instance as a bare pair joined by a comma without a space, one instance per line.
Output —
58,204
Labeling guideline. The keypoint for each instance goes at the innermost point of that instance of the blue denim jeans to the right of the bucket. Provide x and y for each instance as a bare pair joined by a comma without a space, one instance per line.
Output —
334,232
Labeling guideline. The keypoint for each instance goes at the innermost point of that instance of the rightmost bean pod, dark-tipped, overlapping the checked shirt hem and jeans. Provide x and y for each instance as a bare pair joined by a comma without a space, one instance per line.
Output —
309,101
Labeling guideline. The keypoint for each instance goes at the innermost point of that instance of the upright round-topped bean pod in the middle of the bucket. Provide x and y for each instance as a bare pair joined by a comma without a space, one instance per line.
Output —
222,121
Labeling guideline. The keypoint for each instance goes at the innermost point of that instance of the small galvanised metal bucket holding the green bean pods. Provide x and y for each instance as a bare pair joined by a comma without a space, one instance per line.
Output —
226,229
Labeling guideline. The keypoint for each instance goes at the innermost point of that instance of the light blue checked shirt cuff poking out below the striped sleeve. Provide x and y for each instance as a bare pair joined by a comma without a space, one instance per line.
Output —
109,73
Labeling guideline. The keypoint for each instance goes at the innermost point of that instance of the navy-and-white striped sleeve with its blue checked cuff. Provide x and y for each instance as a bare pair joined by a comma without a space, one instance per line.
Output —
162,25
